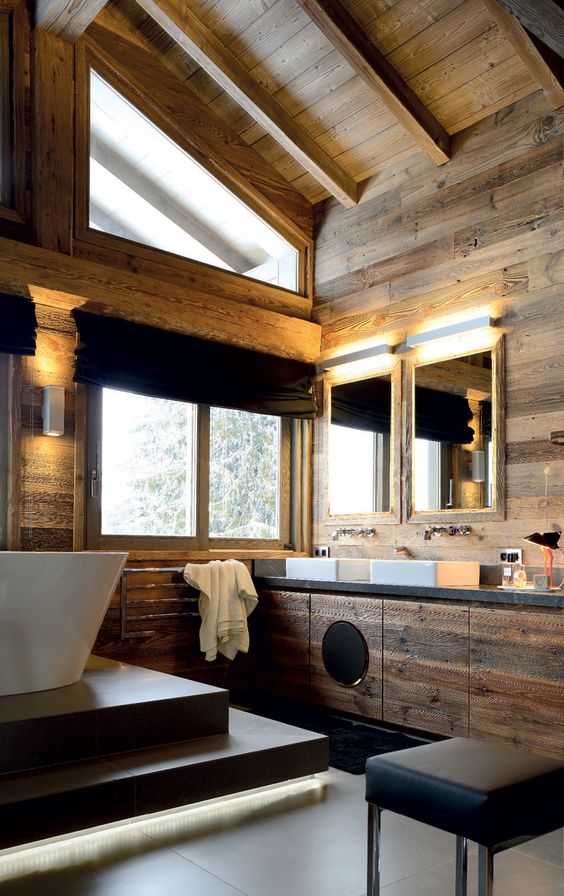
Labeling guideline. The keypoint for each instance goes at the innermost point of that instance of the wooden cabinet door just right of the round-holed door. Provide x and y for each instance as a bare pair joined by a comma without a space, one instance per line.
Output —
426,666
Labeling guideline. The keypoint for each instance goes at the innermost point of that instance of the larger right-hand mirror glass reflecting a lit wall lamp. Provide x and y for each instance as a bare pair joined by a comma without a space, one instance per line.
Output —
455,436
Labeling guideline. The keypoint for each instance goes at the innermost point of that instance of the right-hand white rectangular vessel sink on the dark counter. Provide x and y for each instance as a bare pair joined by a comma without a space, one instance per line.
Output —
426,573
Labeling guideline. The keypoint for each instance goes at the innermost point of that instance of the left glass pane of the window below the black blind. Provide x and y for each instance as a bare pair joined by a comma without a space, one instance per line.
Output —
148,465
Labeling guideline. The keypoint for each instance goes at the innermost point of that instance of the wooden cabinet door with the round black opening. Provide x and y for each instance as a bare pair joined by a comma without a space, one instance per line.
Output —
365,615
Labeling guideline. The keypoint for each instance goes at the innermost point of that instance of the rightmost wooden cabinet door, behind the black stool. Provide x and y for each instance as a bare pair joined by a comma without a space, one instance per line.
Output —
517,678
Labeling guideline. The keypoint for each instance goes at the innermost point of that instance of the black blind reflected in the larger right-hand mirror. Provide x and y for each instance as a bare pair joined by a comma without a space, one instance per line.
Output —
442,417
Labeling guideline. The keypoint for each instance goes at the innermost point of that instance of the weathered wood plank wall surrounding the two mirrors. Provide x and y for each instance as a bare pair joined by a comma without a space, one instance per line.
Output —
486,229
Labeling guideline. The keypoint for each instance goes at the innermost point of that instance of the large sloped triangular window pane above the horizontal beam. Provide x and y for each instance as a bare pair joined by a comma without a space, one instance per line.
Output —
145,188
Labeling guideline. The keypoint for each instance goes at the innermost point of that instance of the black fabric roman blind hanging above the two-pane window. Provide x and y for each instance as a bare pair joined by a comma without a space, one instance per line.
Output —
133,357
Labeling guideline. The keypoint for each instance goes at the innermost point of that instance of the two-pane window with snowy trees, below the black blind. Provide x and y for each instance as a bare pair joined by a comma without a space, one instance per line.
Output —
158,463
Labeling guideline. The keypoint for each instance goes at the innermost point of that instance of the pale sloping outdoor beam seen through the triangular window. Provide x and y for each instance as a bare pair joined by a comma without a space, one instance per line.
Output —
168,204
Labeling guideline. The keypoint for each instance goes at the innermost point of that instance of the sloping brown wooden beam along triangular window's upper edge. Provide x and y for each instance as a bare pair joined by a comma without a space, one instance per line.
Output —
186,119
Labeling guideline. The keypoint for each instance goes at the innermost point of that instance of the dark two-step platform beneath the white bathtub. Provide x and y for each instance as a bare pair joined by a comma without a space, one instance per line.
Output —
126,741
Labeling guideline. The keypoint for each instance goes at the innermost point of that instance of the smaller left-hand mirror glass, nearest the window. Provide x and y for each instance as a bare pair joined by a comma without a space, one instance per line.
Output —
361,446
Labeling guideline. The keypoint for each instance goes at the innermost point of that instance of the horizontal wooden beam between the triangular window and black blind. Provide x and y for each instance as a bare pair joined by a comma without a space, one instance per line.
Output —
60,281
